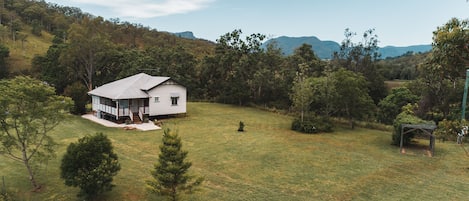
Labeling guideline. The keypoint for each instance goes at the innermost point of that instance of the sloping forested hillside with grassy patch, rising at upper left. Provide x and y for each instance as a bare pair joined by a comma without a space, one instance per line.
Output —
29,27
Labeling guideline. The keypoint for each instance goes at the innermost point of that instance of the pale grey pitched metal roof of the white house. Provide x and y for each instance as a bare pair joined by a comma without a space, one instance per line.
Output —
130,87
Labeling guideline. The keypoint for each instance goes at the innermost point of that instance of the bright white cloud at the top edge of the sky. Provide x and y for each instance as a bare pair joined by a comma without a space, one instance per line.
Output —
148,8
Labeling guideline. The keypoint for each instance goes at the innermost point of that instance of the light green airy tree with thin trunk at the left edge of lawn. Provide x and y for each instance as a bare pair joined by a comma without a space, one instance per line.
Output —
30,110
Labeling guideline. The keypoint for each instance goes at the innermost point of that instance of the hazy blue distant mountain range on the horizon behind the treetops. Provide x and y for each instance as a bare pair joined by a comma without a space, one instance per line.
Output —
324,49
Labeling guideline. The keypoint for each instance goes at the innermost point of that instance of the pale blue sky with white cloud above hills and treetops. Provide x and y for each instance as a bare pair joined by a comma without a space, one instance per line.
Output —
396,22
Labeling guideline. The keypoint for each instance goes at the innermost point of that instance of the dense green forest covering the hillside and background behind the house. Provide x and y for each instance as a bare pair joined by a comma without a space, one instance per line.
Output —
86,51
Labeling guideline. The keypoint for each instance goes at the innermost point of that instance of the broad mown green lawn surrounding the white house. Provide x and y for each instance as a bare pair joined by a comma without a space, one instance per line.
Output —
267,162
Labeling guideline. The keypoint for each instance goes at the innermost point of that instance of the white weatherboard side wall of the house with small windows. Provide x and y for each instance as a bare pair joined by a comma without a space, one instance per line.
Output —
164,105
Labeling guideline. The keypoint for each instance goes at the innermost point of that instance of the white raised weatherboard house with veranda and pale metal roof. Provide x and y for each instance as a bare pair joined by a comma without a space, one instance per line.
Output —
138,96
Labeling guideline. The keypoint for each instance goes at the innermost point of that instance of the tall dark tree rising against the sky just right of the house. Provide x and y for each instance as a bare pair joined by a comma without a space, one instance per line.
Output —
230,71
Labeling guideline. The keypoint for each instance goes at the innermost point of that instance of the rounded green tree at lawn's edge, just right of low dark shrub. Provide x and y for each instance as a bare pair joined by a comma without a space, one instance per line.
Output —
353,101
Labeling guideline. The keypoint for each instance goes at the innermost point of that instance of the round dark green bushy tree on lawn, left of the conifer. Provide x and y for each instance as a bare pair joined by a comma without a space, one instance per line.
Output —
90,164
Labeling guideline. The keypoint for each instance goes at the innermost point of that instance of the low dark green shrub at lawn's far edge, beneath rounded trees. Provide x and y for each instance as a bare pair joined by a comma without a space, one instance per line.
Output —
312,124
